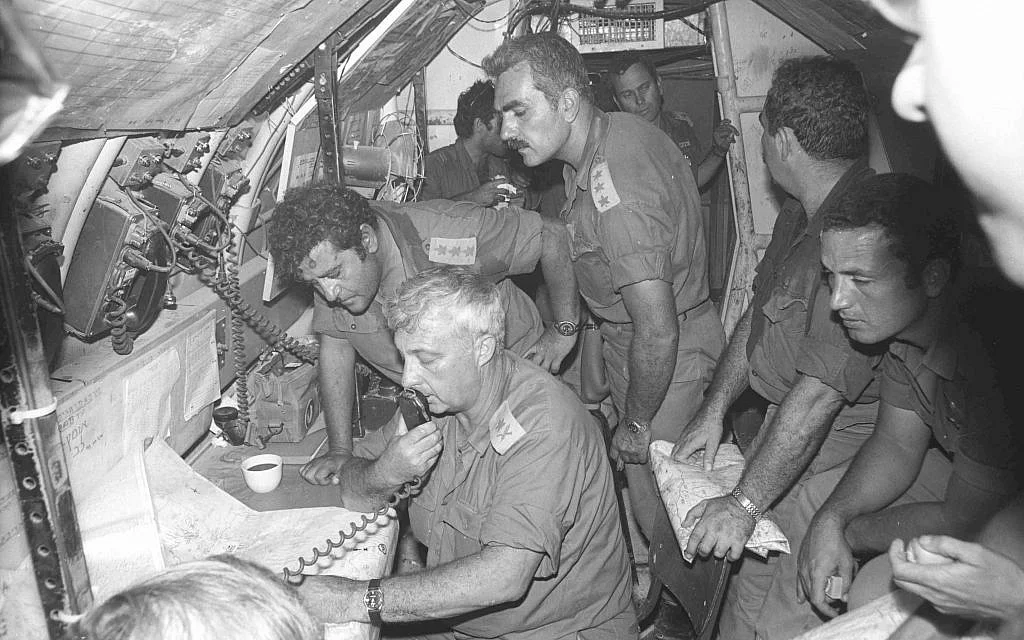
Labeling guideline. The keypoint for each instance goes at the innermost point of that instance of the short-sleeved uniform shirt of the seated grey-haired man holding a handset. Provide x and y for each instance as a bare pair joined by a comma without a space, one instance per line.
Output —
534,477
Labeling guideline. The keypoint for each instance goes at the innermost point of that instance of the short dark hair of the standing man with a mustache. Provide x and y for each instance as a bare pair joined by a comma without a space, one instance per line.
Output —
556,64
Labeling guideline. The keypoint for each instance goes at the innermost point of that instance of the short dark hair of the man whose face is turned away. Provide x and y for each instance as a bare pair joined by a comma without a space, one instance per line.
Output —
825,102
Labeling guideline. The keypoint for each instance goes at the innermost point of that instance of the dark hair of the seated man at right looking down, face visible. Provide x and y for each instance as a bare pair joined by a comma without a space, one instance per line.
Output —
917,222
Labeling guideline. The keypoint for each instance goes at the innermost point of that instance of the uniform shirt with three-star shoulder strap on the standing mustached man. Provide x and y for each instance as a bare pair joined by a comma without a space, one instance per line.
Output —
633,214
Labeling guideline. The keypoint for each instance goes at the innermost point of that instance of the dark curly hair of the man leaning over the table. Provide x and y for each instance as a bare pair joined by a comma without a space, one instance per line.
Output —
309,216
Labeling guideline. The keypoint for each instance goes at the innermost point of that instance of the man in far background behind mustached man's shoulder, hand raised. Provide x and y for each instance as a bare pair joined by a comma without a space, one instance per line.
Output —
637,90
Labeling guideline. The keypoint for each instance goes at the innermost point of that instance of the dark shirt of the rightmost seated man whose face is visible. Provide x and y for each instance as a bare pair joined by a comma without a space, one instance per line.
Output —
953,389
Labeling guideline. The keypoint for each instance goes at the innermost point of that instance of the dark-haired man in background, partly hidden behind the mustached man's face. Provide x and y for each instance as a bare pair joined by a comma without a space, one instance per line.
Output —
475,166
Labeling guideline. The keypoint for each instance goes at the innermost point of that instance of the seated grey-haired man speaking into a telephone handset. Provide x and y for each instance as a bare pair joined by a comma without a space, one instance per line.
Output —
519,513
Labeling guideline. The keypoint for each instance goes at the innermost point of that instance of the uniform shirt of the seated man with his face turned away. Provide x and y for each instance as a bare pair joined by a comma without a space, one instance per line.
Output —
793,330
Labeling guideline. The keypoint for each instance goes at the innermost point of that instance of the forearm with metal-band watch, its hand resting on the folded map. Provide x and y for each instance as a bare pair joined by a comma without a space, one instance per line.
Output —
791,442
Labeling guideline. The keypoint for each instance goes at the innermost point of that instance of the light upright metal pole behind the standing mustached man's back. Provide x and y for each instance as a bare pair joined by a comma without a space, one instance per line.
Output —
745,255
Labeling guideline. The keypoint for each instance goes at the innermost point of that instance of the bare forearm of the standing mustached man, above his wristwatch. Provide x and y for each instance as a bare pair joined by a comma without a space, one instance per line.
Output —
652,365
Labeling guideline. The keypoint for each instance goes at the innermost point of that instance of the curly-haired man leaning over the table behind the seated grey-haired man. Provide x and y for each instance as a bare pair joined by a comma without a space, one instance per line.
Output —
357,253
